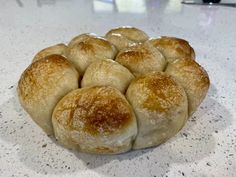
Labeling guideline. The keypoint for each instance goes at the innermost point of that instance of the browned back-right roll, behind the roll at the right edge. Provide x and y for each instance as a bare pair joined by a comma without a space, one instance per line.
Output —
173,48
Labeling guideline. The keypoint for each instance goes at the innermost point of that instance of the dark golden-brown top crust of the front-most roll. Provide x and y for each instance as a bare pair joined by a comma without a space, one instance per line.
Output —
96,110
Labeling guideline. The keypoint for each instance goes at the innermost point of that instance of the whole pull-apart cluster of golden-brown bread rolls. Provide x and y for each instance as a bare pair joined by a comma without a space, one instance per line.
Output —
111,94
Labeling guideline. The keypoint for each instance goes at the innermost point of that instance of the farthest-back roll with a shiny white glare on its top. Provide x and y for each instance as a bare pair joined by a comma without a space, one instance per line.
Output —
123,37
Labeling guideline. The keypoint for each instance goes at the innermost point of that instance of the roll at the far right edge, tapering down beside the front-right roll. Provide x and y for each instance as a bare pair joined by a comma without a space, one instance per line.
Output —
193,78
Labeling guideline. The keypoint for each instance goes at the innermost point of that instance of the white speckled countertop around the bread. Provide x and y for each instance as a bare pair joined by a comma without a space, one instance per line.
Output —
207,144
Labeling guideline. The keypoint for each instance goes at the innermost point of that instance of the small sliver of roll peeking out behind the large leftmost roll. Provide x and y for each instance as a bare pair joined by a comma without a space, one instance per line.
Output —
59,49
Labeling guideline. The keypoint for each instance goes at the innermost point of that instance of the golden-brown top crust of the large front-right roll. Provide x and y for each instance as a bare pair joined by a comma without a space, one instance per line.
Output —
163,92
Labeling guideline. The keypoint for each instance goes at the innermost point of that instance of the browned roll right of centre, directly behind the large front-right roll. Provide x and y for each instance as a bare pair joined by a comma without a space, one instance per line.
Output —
141,59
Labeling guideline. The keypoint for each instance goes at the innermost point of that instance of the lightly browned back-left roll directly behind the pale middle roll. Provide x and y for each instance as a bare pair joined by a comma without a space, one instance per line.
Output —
85,49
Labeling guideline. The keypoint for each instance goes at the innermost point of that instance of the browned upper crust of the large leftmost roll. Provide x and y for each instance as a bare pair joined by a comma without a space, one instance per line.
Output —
37,76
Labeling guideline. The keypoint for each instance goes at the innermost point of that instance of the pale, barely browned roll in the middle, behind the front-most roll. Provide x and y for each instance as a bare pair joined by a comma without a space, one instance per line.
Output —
107,73
